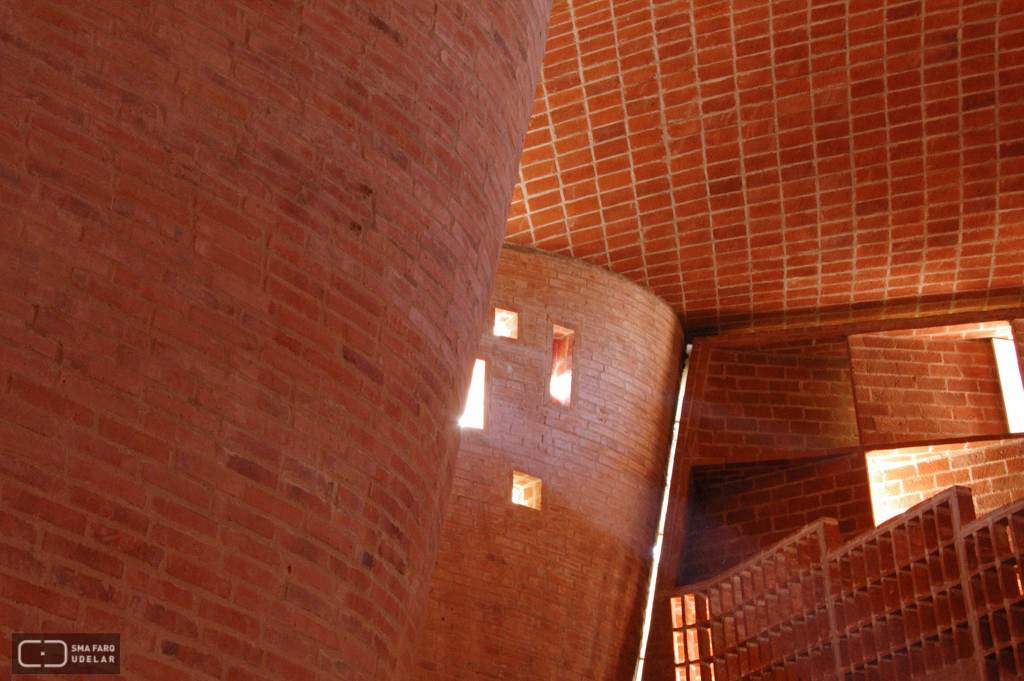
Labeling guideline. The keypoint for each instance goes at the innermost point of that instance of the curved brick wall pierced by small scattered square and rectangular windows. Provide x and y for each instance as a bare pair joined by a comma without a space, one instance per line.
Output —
558,593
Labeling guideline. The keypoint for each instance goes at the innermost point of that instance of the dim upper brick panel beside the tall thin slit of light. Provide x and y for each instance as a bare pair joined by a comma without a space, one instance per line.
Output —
751,405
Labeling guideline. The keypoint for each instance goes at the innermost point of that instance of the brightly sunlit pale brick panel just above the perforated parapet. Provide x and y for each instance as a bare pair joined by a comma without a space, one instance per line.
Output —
993,471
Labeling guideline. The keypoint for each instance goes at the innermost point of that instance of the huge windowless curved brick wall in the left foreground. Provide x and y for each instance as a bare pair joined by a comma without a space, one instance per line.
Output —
245,254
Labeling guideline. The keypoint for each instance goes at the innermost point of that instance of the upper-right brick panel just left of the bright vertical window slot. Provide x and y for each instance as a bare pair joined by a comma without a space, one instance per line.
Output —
917,390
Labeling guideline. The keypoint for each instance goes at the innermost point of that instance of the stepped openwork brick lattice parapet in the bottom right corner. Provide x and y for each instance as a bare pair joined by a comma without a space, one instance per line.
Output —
932,594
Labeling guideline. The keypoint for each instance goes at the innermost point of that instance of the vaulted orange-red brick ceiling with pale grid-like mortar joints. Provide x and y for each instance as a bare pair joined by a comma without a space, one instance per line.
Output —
763,163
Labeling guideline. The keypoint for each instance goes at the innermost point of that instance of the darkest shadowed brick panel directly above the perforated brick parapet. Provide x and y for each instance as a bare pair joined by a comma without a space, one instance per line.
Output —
738,510
